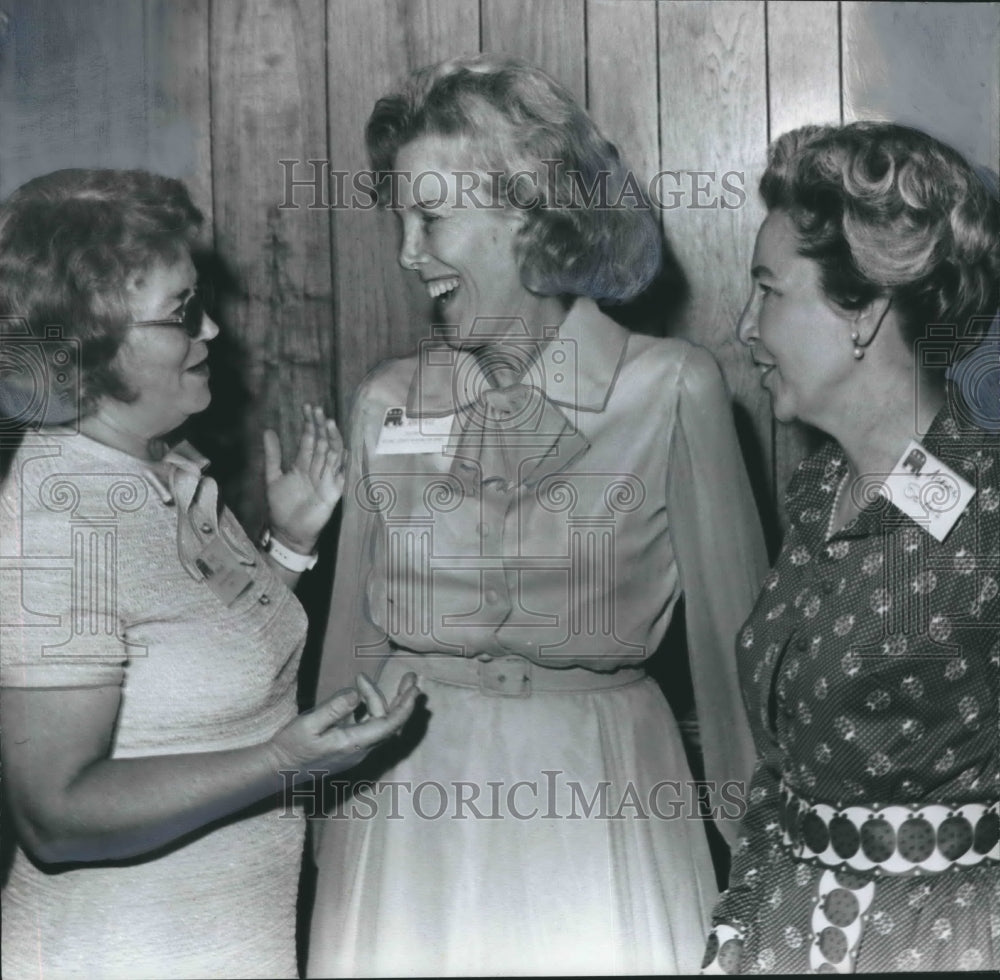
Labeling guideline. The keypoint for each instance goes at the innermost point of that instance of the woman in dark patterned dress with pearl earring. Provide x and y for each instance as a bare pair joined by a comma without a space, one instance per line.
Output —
871,661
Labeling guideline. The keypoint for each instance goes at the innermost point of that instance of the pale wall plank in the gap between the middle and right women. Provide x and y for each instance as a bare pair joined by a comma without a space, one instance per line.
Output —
713,119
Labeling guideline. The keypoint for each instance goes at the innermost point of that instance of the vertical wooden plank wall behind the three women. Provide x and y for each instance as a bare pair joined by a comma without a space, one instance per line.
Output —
219,92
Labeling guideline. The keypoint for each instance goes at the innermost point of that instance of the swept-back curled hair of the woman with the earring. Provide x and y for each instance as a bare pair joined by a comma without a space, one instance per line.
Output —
886,210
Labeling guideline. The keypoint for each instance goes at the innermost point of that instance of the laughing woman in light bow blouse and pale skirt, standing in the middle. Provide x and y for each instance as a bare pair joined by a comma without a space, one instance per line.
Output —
526,500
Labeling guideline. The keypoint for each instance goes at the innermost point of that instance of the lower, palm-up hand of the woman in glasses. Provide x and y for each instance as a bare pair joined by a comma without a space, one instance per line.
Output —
327,738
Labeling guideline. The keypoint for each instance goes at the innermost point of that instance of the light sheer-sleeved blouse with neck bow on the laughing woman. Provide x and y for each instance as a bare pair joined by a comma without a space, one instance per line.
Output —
558,520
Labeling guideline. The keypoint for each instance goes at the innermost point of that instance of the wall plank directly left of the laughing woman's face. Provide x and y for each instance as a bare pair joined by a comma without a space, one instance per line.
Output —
372,46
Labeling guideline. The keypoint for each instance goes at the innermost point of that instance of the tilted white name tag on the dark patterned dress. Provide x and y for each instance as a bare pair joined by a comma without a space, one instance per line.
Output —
923,488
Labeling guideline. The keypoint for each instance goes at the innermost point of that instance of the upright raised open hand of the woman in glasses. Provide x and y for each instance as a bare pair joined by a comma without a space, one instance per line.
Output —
301,499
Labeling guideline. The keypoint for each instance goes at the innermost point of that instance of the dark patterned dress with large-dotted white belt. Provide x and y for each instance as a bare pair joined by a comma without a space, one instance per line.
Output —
871,670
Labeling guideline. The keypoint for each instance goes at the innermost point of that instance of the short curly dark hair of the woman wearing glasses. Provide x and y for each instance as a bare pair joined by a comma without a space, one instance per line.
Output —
71,240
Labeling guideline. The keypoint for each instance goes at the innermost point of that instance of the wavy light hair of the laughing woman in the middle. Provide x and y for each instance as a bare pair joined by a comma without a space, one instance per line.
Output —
515,117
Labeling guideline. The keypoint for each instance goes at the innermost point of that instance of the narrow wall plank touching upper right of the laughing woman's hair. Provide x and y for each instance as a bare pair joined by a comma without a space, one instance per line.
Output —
621,78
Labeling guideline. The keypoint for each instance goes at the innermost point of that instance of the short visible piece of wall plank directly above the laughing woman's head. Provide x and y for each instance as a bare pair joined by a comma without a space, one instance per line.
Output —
549,35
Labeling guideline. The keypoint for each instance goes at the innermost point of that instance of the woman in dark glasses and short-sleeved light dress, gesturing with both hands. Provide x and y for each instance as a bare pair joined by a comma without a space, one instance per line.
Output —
149,650
